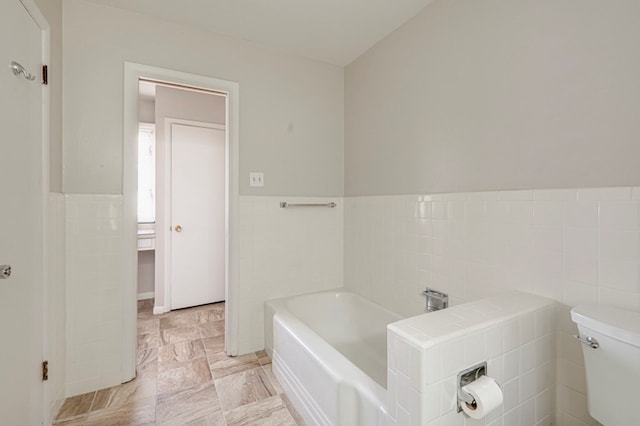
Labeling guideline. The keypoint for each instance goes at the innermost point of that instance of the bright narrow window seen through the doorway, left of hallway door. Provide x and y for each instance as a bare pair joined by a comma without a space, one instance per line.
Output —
146,173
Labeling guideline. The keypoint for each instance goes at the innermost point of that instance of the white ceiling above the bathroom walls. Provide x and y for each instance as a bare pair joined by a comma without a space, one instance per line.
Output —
333,31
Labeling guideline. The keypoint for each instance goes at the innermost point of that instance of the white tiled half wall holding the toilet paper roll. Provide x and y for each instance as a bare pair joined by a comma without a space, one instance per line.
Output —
512,332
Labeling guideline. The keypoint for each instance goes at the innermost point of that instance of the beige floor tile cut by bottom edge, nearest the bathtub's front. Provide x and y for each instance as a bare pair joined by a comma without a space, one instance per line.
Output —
267,412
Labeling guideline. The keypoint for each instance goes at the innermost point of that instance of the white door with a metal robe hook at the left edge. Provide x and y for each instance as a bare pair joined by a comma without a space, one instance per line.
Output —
21,210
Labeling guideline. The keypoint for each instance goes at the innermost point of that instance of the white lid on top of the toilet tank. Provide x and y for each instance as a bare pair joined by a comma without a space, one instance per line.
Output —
617,323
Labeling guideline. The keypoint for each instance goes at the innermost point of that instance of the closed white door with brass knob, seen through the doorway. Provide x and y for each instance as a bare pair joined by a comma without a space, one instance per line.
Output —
197,215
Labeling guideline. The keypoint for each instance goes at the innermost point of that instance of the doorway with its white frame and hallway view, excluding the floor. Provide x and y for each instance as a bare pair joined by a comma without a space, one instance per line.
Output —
194,121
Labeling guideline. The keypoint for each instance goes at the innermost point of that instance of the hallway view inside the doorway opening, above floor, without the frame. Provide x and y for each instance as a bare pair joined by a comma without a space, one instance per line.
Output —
181,195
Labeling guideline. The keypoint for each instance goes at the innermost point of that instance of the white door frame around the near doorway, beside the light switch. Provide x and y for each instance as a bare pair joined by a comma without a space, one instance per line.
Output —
132,73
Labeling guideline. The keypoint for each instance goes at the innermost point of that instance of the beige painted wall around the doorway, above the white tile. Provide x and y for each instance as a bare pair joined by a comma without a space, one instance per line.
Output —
291,109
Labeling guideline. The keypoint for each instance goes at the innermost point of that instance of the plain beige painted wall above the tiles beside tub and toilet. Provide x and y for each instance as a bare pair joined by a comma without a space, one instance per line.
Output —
497,94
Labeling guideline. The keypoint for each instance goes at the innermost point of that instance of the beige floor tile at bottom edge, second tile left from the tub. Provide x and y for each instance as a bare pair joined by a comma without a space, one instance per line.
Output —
187,405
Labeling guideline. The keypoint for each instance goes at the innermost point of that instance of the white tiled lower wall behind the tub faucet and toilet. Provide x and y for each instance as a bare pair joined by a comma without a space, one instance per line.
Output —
572,245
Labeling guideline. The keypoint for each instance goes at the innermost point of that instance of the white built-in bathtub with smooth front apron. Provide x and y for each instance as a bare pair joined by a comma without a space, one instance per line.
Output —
329,352
